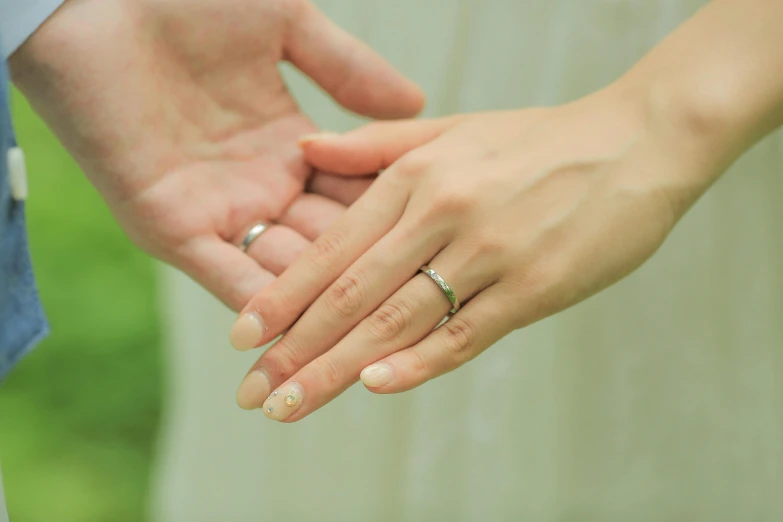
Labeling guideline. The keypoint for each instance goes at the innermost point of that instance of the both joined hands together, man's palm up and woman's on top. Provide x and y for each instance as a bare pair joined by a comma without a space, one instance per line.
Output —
180,118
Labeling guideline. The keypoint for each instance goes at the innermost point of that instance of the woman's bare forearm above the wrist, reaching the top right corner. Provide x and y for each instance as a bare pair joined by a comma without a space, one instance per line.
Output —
718,78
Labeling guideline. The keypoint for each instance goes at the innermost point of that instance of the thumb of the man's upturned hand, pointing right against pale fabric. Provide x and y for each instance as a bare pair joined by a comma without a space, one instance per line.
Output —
353,74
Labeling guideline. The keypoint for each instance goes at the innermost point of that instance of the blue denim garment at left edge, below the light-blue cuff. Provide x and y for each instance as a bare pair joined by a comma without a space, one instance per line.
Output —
22,321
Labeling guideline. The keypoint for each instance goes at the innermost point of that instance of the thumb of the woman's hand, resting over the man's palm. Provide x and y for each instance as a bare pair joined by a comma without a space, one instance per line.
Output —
371,148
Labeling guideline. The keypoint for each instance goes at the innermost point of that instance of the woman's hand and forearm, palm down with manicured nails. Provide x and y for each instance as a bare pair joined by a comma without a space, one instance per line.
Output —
523,213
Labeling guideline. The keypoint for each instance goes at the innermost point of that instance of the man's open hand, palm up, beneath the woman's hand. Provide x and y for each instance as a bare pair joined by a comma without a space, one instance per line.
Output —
177,113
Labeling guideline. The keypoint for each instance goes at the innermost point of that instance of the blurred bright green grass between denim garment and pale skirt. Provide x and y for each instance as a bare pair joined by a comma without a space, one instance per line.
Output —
78,416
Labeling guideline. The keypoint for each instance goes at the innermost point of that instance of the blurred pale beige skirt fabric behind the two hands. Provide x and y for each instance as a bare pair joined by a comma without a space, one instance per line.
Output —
660,399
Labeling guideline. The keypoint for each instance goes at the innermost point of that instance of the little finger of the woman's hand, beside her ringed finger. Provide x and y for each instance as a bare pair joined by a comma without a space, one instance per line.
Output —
477,326
